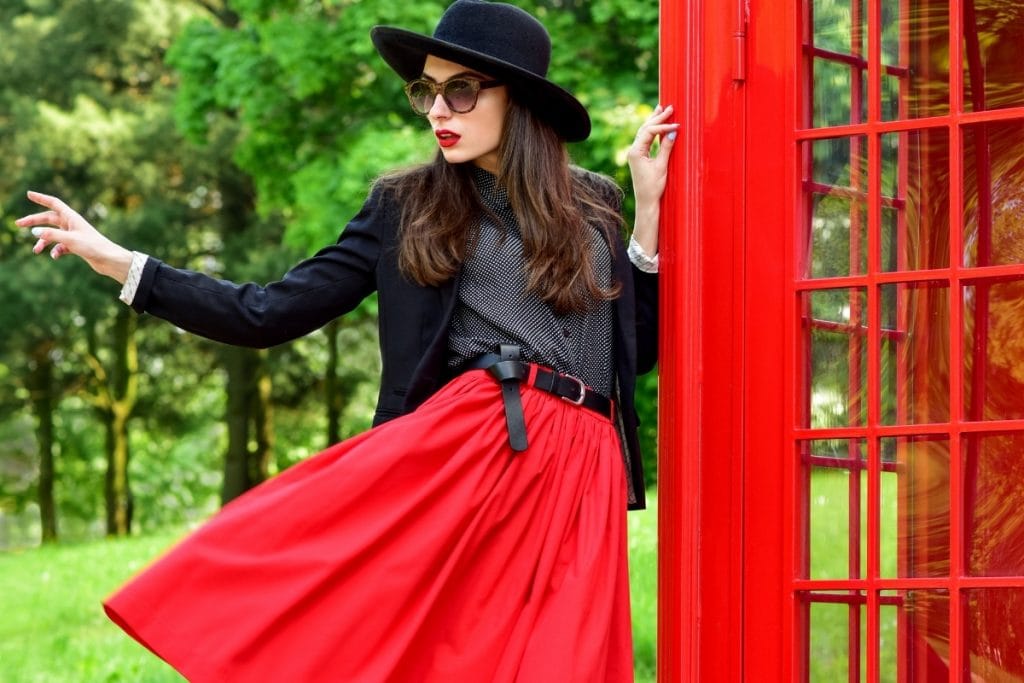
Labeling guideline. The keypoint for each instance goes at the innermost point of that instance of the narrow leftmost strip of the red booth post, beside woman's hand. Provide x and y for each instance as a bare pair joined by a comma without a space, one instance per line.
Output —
680,348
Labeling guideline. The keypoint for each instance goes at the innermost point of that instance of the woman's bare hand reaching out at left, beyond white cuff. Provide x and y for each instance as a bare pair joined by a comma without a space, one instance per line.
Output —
69,233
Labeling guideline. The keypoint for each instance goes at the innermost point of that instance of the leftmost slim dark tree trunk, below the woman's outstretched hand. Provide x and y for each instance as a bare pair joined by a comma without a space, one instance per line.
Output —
41,391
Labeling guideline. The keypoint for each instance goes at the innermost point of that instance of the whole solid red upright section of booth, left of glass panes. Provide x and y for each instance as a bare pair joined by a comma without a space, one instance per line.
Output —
724,525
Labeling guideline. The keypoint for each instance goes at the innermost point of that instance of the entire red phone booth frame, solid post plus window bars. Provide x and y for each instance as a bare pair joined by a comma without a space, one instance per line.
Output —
729,564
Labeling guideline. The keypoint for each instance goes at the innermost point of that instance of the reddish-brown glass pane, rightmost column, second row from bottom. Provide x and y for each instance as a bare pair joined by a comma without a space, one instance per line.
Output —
994,505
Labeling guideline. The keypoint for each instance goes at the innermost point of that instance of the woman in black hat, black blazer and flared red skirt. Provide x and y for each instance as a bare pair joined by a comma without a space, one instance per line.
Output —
478,532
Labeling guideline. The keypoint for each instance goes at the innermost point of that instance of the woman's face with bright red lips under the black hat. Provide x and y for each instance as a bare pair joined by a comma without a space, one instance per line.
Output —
474,137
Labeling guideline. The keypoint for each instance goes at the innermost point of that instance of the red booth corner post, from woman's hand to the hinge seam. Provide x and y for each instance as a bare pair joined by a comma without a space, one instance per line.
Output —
704,68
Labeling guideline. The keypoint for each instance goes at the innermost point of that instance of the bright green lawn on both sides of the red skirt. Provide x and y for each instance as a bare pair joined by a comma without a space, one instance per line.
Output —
54,630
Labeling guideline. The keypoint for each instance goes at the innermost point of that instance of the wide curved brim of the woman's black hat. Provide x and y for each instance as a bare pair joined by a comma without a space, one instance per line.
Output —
407,52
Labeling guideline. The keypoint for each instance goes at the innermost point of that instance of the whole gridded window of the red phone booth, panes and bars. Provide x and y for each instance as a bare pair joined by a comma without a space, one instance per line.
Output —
916,377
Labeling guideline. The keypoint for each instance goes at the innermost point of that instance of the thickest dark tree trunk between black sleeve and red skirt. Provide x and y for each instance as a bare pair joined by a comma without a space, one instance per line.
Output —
250,432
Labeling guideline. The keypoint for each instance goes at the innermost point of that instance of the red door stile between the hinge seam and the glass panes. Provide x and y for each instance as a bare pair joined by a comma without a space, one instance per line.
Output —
770,214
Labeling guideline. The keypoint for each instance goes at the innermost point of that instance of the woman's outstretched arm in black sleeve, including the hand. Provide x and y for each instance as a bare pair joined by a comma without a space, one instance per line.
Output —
317,290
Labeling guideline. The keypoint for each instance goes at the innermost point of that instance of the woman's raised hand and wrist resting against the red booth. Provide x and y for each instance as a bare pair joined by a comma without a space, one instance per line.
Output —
651,174
